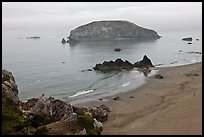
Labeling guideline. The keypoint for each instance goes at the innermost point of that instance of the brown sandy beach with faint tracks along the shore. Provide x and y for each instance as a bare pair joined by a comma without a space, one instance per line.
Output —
168,106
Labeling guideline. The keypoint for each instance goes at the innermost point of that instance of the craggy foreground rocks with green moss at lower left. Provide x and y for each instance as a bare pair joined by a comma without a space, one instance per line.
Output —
46,115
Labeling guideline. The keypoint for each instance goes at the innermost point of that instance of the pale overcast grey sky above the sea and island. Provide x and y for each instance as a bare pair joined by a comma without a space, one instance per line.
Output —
69,15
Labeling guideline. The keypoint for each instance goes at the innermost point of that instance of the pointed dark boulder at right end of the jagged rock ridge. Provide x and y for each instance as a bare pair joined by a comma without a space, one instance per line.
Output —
144,63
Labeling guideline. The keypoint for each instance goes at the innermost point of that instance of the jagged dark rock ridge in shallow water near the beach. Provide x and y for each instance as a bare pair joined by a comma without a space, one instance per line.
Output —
119,64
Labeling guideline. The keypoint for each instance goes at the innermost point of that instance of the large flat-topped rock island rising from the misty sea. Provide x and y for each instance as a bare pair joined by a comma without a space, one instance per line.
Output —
111,30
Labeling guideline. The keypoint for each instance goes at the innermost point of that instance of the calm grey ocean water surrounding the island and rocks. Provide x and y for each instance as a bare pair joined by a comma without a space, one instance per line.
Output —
37,64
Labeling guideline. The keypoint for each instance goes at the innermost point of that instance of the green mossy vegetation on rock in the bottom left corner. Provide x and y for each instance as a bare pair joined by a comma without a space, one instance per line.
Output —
12,118
